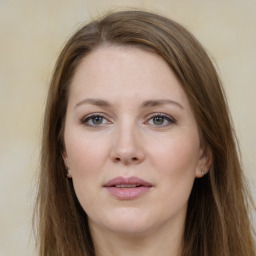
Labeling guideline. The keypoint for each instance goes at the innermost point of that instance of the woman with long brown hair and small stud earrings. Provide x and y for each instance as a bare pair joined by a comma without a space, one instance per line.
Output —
138,155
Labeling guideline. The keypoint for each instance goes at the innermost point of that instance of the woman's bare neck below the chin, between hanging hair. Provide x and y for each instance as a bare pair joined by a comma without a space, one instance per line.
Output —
163,241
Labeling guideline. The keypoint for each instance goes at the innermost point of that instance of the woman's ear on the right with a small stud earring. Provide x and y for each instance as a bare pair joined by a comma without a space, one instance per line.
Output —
205,159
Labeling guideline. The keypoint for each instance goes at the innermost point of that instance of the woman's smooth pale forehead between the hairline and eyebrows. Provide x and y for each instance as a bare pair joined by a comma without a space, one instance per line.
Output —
125,72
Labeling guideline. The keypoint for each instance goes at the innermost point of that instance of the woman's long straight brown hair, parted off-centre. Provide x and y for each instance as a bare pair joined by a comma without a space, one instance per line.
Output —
217,221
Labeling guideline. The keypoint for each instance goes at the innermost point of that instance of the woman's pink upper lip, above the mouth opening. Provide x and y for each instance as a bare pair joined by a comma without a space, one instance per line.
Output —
127,181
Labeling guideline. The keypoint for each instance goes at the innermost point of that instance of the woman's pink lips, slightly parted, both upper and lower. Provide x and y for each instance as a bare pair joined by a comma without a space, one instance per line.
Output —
127,188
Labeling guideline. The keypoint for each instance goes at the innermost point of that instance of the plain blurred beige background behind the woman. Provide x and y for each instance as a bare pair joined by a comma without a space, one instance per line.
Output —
32,33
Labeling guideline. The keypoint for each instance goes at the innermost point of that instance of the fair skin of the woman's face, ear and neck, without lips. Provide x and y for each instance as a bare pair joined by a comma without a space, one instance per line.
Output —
128,141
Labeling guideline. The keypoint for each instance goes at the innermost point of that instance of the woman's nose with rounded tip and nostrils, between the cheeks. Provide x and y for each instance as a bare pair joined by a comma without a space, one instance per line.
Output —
127,146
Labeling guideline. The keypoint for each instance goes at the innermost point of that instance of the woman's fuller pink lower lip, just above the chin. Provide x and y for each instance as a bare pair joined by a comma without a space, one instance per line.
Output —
127,193
